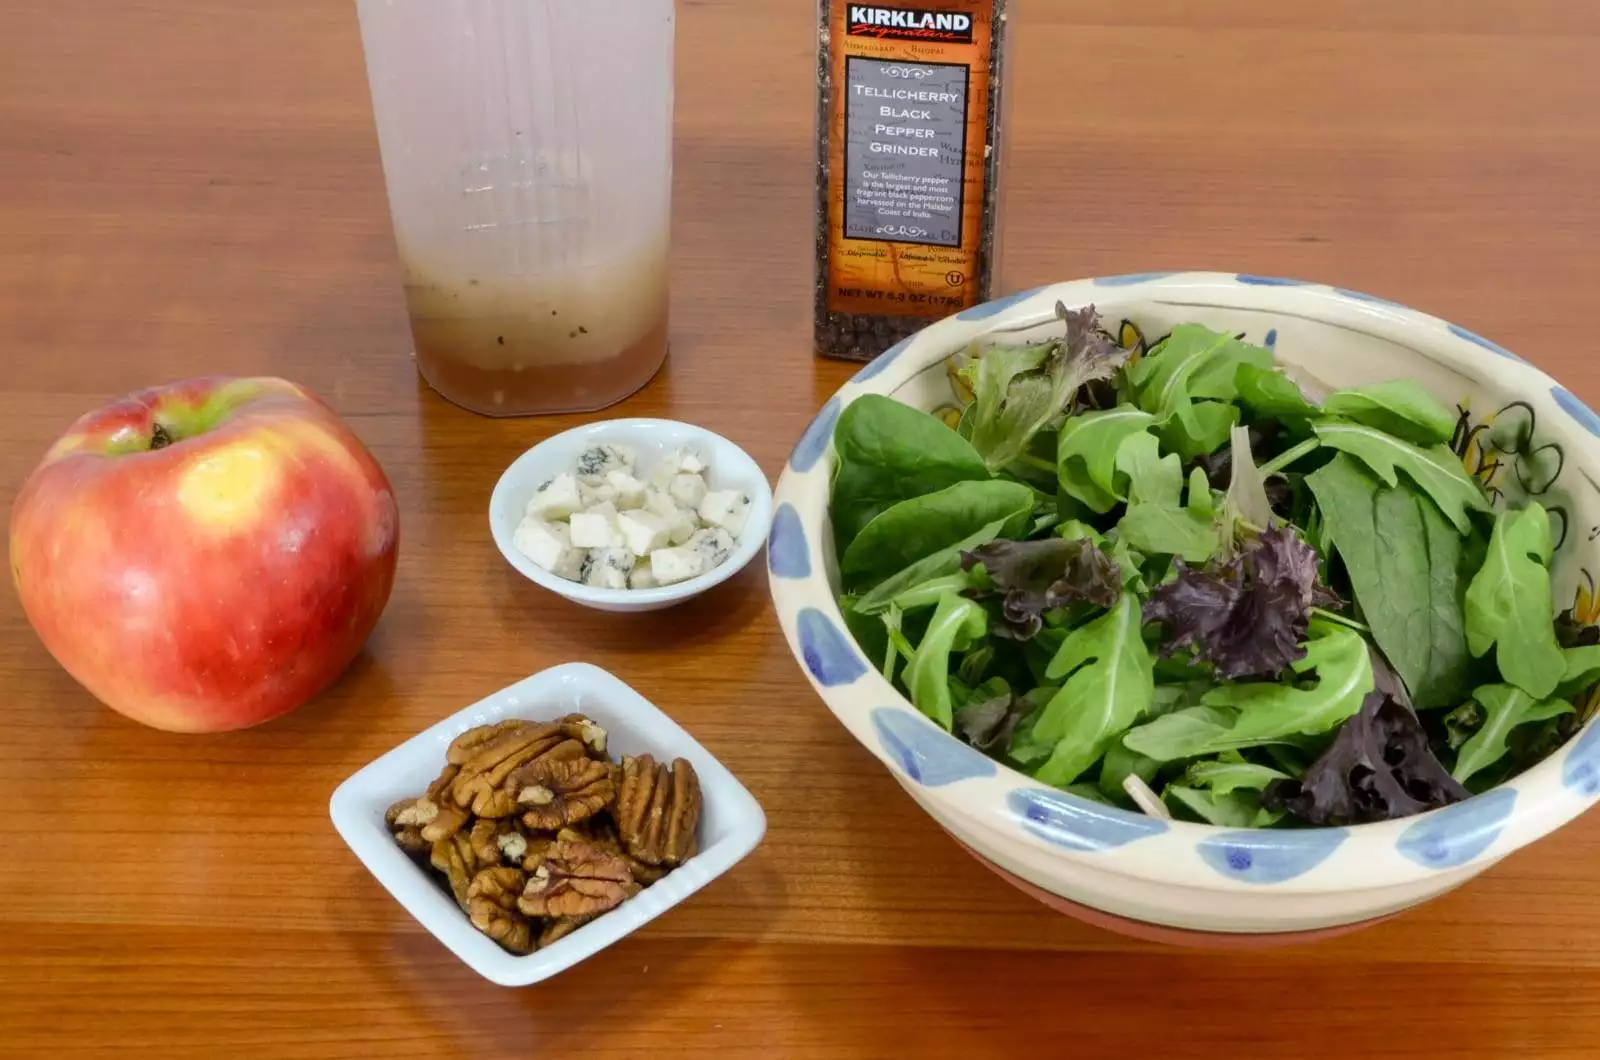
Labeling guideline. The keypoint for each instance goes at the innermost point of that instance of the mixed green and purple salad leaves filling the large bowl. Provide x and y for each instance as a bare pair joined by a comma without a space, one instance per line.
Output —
1183,577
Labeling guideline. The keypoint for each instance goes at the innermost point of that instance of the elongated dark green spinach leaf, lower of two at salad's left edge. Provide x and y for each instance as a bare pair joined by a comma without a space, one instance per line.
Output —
924,526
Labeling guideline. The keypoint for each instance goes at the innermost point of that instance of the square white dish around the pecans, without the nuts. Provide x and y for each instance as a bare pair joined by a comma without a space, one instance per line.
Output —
732,822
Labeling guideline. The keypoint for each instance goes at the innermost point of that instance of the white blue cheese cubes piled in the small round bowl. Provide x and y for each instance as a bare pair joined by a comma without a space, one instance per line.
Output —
612,526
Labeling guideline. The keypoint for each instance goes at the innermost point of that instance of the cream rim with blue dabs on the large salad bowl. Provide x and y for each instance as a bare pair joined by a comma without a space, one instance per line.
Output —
1050,822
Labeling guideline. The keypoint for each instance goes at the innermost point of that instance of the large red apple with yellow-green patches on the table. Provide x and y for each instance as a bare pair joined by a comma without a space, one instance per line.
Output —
206,556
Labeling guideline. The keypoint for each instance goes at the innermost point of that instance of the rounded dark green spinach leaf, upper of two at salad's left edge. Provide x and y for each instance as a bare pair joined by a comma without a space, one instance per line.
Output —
887,454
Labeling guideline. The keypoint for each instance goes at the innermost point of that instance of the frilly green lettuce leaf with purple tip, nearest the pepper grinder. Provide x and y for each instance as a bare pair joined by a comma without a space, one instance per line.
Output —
1033,398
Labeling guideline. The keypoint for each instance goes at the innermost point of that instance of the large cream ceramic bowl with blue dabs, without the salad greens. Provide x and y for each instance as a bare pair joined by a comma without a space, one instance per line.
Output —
1132,867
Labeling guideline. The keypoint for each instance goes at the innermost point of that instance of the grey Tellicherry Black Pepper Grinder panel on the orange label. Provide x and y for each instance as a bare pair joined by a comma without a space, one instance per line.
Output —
906,151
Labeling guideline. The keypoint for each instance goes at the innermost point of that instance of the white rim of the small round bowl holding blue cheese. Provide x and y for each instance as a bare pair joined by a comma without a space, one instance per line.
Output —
750,544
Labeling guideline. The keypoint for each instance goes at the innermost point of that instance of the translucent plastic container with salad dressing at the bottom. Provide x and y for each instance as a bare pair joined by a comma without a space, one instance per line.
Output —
527,150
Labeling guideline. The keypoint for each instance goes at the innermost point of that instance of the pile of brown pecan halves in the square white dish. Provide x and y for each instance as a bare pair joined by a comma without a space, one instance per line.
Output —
535,830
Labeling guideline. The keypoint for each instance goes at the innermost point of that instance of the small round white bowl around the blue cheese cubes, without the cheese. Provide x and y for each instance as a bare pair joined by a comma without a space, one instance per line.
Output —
727,468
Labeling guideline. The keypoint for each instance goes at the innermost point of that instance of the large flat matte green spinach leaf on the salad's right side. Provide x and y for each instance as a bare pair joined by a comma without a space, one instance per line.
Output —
1406,568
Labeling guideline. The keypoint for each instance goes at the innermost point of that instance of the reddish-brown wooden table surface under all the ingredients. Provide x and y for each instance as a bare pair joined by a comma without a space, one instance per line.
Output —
194,187
